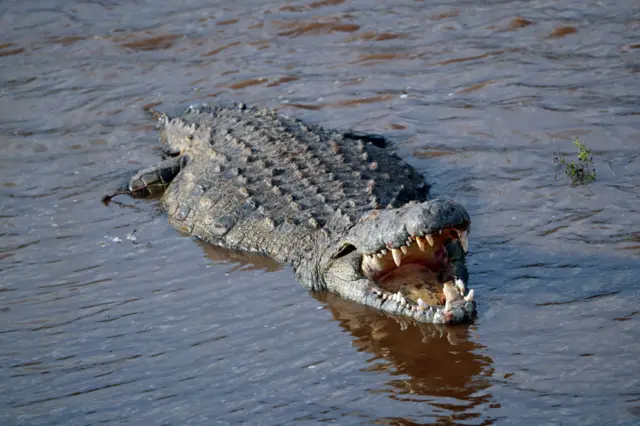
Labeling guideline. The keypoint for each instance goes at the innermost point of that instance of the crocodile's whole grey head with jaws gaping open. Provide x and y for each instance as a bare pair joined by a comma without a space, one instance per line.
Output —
408,260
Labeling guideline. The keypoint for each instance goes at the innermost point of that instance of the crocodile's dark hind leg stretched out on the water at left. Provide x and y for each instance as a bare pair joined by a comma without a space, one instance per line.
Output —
150,181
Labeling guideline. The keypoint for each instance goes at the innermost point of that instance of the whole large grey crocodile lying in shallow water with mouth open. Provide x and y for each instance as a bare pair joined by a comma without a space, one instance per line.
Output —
346,212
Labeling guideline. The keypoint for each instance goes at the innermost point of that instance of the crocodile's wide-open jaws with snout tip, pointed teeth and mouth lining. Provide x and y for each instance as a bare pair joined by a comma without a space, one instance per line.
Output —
419,270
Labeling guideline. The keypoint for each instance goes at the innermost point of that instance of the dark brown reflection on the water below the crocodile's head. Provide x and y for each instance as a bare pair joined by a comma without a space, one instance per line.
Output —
424,360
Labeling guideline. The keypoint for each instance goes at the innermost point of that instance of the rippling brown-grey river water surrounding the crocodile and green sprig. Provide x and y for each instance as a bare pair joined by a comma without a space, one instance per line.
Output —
97,328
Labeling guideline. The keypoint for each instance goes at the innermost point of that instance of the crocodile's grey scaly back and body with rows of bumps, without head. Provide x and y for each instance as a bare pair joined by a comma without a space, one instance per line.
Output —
257,180
